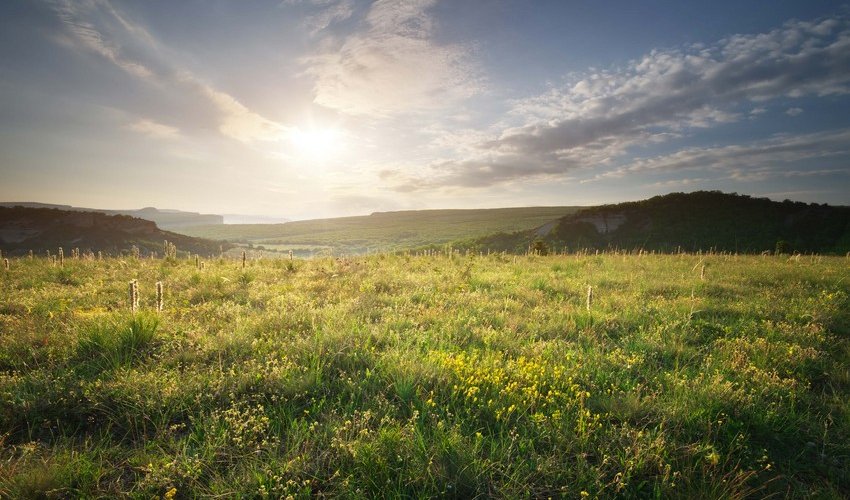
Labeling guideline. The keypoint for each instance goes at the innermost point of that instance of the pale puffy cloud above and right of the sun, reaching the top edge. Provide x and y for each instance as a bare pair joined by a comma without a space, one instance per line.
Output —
393,66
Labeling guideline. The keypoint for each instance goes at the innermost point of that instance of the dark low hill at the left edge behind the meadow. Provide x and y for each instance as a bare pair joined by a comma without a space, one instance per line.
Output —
39,229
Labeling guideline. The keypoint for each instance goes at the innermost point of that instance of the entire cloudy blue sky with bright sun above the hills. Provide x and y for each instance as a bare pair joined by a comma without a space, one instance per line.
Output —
321,108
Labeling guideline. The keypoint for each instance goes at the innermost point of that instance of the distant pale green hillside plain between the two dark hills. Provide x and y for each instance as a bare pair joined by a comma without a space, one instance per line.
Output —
384,230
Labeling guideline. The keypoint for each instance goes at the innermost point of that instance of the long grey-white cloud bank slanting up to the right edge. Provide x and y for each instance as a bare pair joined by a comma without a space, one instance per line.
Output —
599,118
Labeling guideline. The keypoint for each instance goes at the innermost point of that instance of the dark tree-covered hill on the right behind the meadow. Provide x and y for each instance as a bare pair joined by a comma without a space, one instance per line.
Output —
695,221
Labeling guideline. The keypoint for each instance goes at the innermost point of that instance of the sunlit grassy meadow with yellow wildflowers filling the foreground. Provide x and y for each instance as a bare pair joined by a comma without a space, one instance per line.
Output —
464,377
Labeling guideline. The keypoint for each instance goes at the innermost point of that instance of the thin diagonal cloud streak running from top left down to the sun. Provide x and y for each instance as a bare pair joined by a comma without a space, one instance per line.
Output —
96,26
